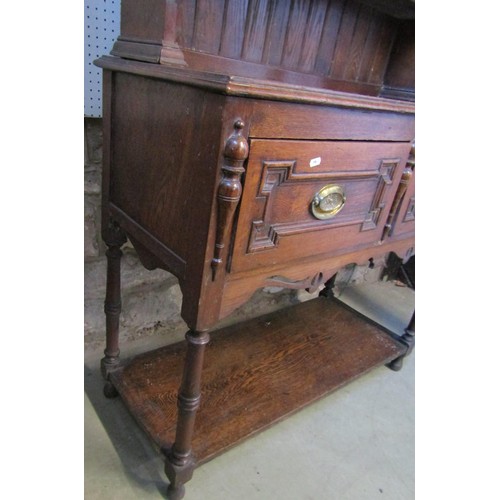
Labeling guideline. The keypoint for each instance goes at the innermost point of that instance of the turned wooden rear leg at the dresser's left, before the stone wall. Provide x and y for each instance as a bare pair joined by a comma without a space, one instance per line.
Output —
114,239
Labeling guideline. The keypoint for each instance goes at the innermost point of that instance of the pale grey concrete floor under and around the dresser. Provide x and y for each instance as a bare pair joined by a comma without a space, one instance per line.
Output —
356,444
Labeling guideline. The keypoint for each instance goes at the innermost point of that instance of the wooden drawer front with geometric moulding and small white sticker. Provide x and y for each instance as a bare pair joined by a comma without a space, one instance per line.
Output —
276,224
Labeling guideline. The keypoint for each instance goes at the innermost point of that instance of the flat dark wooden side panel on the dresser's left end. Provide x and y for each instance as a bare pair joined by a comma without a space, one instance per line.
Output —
164,160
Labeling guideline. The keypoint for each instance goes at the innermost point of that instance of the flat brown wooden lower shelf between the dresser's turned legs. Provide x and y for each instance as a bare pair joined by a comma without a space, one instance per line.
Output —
256,373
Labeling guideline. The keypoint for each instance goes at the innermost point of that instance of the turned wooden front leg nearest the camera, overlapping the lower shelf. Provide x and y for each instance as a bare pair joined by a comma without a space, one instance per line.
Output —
179,464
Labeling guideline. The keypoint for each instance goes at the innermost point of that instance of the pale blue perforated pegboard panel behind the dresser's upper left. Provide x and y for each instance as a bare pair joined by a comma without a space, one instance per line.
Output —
102,27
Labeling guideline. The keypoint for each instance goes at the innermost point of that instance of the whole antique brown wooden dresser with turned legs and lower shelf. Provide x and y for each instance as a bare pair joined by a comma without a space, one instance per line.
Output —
254,143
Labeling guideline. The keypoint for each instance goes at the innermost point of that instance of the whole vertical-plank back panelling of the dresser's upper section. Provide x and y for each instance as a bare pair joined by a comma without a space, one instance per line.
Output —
340,39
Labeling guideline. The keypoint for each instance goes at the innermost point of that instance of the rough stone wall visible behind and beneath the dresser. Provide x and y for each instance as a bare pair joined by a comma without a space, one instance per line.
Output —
151,300
